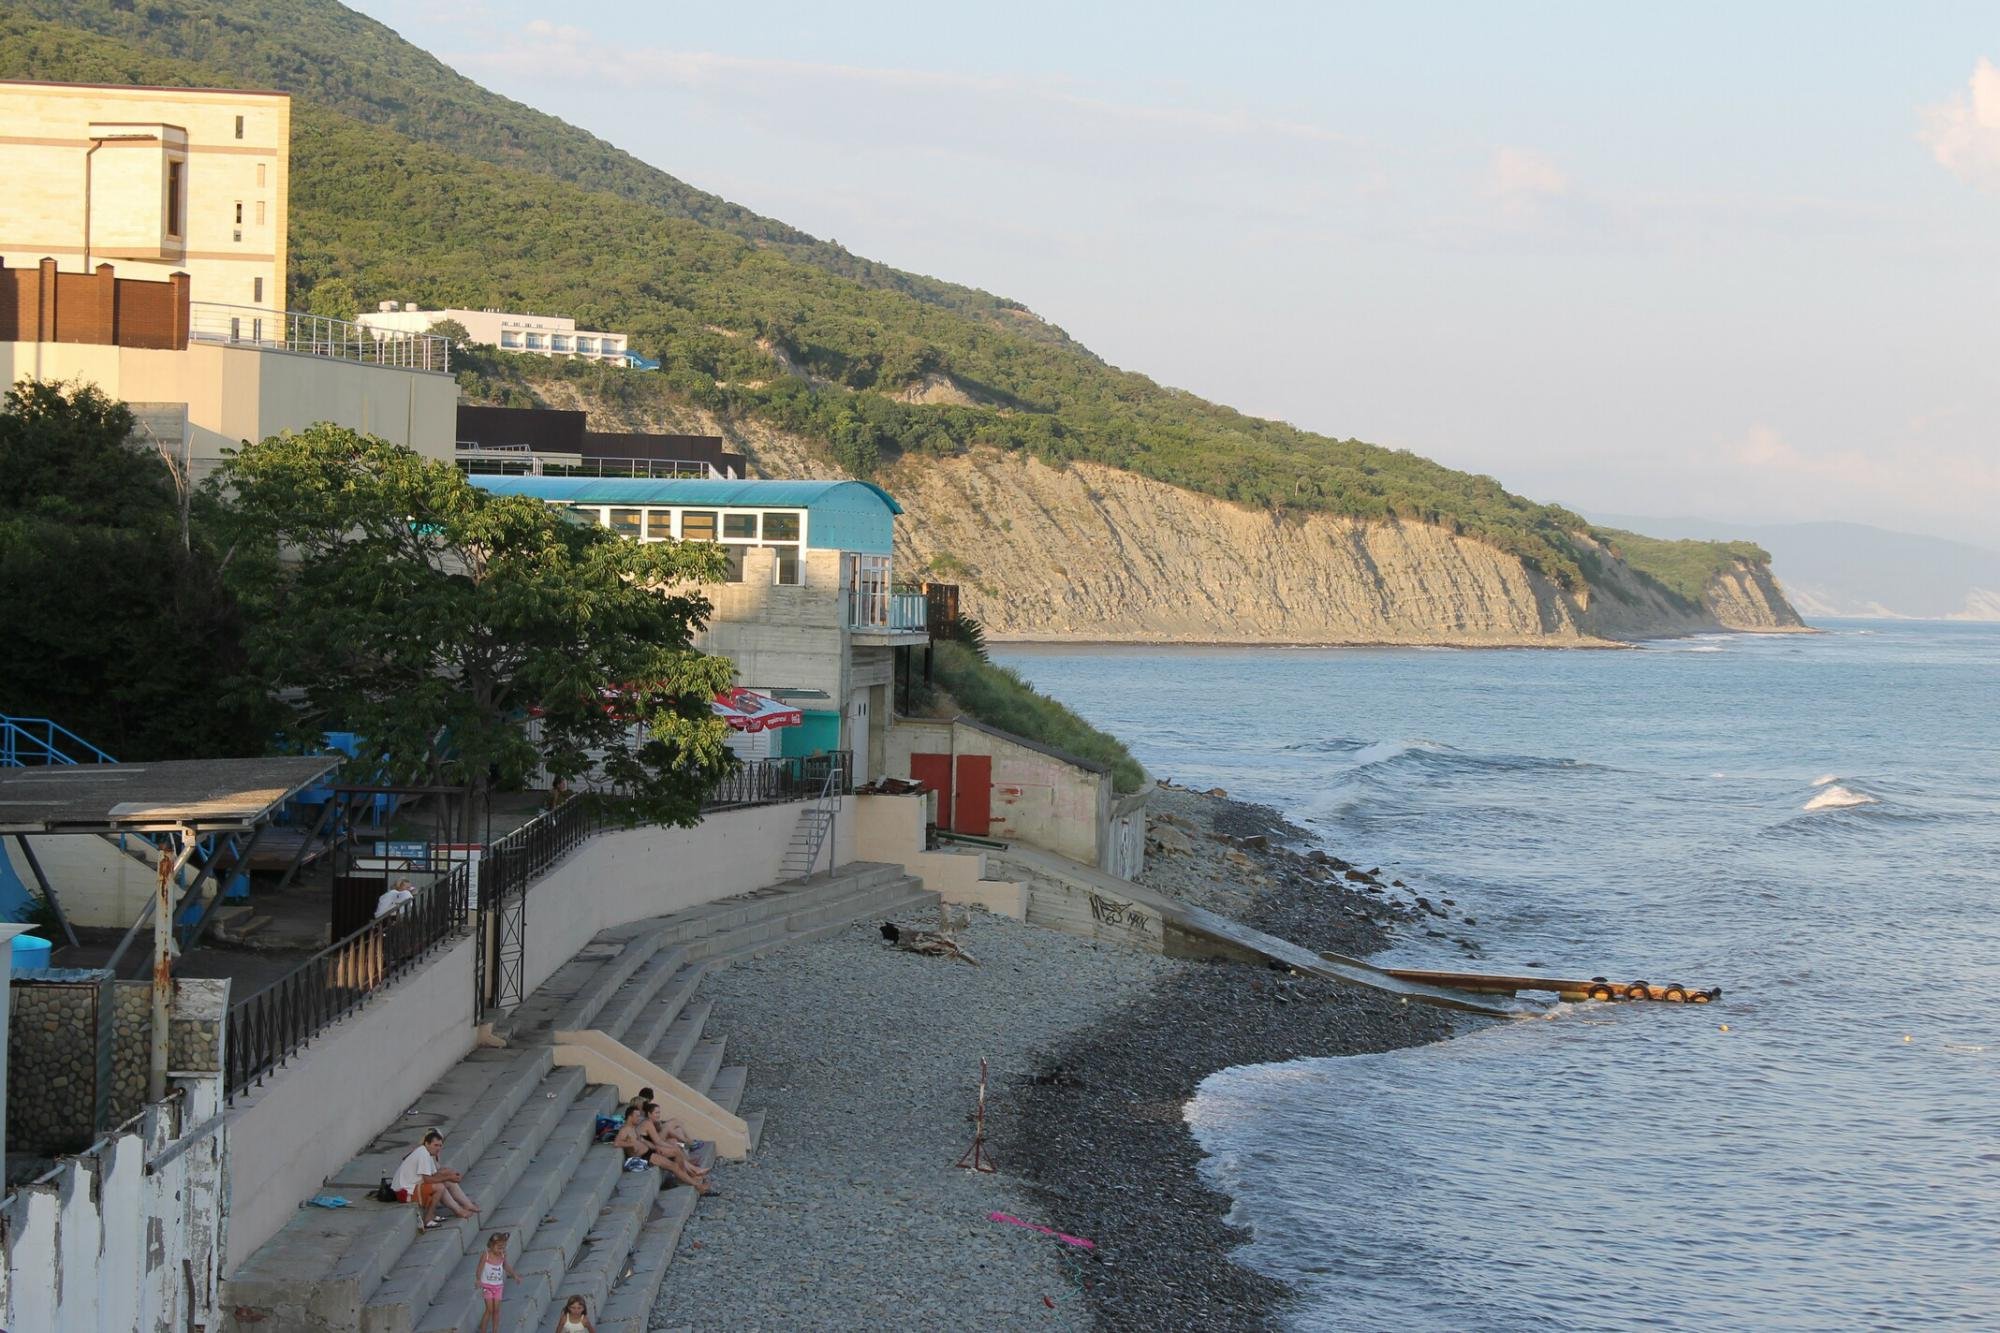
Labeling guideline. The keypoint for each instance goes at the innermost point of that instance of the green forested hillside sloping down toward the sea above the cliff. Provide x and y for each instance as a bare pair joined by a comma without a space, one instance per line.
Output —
413,183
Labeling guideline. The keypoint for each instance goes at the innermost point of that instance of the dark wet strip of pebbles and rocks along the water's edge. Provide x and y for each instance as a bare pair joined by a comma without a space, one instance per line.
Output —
1109,1148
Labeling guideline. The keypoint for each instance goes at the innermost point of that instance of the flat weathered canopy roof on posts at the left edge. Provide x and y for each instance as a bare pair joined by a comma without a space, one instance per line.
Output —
183,796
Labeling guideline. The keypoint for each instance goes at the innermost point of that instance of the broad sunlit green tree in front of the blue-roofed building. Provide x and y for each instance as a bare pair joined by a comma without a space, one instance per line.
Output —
395,599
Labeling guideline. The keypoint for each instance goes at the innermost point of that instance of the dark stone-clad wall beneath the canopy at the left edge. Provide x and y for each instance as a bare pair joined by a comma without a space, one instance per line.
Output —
53,1062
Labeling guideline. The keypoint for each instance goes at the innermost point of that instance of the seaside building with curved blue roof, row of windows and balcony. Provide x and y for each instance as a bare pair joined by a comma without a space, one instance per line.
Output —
809,609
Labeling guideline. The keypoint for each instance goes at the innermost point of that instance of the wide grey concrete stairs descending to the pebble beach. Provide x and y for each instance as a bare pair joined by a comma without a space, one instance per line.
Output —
523,1130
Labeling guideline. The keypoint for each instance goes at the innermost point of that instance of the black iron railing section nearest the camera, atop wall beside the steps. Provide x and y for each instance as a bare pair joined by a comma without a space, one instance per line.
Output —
269,1028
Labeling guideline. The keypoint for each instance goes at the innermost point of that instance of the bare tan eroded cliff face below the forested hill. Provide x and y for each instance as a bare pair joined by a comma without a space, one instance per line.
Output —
1091,553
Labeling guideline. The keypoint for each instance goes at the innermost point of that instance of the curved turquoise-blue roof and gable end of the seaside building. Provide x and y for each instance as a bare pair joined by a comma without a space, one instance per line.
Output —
841,515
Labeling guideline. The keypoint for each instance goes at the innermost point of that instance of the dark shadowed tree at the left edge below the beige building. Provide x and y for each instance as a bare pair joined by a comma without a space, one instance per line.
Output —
119,625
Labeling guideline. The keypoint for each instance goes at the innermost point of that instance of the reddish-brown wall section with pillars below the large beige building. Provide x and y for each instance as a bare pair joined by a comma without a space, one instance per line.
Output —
43,305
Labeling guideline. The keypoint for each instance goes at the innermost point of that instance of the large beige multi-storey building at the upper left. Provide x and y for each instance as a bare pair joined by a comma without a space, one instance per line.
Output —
151,181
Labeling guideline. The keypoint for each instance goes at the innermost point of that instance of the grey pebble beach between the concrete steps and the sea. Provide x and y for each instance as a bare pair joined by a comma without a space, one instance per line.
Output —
867,1060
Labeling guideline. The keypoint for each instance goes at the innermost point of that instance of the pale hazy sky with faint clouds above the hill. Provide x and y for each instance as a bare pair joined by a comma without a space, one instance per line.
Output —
1725,261
